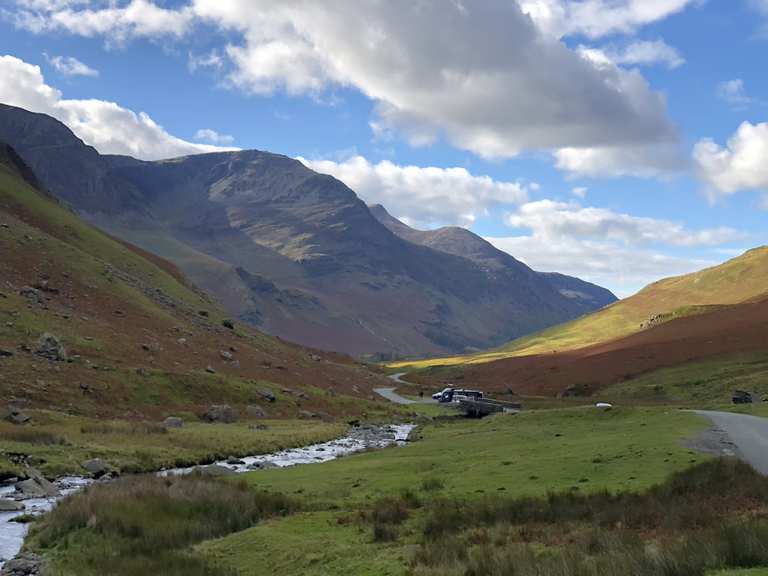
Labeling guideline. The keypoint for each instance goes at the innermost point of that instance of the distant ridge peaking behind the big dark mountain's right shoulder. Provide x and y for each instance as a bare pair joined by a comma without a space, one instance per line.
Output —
461,242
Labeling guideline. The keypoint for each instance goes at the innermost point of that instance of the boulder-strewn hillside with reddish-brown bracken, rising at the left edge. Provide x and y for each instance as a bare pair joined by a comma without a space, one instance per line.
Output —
128,333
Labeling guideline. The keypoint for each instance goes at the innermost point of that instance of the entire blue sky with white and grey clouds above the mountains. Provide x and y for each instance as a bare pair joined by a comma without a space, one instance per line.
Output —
621,141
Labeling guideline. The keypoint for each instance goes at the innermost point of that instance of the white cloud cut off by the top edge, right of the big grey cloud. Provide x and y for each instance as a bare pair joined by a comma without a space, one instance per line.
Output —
598,18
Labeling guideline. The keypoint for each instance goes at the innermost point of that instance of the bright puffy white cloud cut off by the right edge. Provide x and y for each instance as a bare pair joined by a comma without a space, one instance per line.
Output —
740,165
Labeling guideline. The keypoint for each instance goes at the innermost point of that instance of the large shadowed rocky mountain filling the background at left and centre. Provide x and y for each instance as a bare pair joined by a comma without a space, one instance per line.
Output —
291,251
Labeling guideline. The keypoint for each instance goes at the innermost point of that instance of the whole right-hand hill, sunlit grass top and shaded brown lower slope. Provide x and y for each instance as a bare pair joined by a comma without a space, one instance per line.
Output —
716,311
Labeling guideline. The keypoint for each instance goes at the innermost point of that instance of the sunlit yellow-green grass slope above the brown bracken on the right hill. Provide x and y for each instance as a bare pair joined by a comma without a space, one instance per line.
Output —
739,280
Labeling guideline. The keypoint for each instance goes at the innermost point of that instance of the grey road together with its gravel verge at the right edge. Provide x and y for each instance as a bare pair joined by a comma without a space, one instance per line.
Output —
741,435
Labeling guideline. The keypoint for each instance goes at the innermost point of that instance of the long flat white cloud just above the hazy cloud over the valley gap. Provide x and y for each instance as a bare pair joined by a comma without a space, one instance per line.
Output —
559,221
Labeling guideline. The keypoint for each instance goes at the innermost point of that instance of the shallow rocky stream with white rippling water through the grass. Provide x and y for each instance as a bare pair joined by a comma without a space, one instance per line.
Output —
363,438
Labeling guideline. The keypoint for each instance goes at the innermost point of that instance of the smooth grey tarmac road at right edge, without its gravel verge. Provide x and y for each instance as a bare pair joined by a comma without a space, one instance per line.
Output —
749,435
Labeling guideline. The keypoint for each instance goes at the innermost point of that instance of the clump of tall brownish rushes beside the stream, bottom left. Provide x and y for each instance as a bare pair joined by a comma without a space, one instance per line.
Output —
142,525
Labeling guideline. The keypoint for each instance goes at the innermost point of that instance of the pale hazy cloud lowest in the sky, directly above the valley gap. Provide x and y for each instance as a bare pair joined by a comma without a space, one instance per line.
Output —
622,269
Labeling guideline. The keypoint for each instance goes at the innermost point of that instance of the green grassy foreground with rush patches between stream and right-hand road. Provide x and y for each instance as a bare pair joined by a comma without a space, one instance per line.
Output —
390,512
